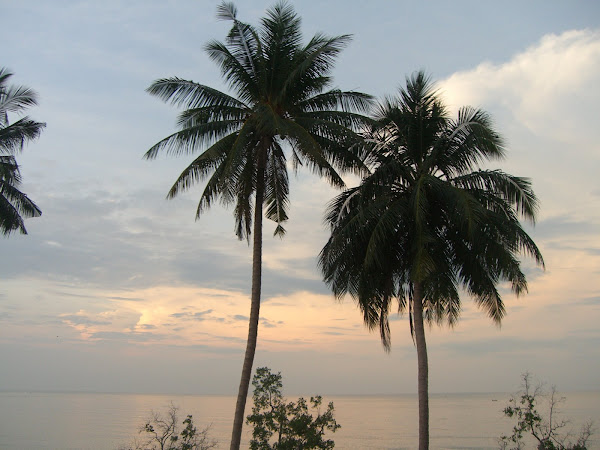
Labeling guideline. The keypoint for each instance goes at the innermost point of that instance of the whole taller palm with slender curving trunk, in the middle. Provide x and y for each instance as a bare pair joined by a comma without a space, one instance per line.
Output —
280,98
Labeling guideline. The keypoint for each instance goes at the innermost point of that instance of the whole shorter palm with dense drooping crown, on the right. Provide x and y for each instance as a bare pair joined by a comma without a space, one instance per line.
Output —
428,221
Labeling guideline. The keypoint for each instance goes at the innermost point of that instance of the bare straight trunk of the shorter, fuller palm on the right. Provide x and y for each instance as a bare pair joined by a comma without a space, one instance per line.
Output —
423,371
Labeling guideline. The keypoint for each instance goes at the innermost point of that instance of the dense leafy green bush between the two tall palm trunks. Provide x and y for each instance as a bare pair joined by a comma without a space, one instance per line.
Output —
280,425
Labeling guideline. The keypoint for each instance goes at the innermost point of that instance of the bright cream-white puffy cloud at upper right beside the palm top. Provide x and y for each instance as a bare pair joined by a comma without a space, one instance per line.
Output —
559,69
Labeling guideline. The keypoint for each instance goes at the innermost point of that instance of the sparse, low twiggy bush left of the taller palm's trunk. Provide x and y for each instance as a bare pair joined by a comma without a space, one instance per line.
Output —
161,432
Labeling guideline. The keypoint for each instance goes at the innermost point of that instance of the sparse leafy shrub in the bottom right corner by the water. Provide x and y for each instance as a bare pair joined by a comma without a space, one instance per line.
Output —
548,430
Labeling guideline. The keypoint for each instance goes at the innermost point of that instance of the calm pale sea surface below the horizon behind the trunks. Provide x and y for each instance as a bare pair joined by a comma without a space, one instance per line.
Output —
32,421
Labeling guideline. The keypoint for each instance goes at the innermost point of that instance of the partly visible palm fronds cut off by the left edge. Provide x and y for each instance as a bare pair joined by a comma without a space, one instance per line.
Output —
14,204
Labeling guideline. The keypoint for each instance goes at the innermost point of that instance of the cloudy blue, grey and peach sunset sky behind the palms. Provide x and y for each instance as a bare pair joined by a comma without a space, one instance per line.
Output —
116,289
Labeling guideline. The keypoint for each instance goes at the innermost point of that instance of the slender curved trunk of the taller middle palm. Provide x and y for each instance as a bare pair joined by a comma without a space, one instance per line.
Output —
240,406
